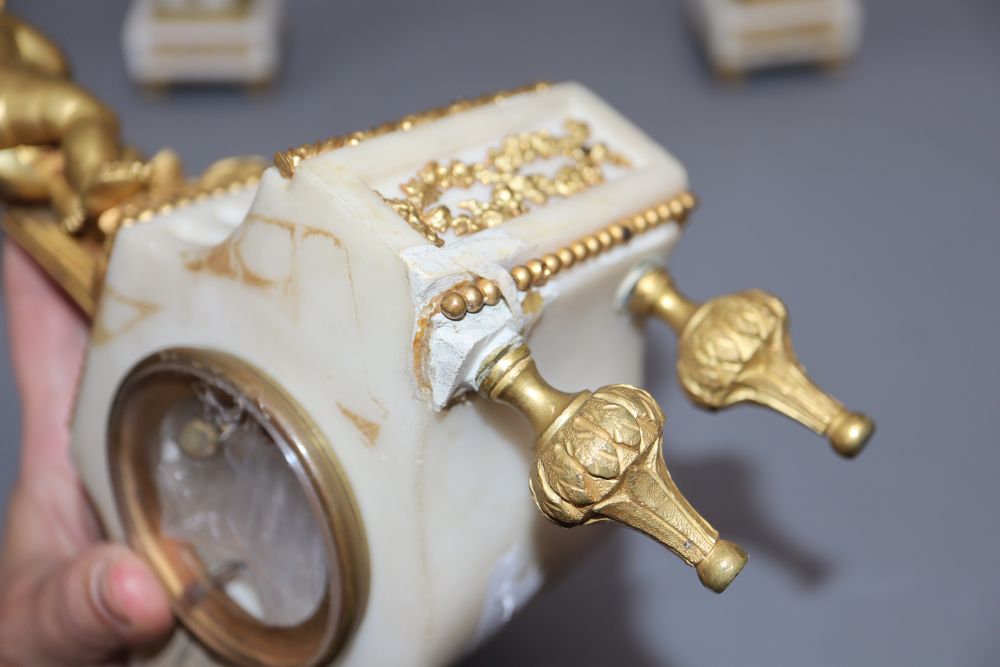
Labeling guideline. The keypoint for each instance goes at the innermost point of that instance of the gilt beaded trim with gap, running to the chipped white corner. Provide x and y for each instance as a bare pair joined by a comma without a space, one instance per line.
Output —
466,298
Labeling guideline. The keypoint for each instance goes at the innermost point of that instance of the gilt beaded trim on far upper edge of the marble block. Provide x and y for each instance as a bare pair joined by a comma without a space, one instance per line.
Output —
287,161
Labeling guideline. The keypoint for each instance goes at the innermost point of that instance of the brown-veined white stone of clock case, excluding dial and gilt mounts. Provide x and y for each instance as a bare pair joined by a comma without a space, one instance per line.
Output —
324,288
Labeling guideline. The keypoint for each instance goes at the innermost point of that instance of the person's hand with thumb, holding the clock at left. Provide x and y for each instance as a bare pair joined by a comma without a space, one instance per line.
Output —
67,596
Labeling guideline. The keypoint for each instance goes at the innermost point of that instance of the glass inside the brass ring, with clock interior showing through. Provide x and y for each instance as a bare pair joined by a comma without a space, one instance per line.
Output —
227,493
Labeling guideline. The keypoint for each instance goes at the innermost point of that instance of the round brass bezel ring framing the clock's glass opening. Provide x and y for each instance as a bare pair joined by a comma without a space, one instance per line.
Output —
223,626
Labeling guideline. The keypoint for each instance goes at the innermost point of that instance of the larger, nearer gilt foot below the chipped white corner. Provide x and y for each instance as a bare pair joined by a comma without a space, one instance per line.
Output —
597,457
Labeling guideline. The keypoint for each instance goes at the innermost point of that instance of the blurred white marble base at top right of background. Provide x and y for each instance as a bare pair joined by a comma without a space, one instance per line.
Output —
745,35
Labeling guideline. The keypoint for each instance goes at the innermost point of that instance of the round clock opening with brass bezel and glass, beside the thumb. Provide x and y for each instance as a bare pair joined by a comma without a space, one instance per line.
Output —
235,498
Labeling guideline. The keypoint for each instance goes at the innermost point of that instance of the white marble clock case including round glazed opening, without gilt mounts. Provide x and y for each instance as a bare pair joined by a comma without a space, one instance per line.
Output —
290,316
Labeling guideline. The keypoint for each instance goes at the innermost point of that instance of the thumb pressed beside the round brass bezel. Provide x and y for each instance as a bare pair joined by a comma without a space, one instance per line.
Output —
86,610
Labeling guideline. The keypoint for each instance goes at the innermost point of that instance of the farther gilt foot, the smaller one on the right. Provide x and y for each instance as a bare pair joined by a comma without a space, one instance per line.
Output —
736,348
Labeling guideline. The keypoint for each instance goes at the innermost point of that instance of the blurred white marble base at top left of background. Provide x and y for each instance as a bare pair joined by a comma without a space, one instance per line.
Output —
163,50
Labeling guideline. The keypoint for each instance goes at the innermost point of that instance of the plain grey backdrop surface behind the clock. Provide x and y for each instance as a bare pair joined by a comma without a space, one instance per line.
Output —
868,202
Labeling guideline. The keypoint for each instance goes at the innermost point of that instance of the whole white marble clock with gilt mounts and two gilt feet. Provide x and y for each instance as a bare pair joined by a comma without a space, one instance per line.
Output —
289,403
